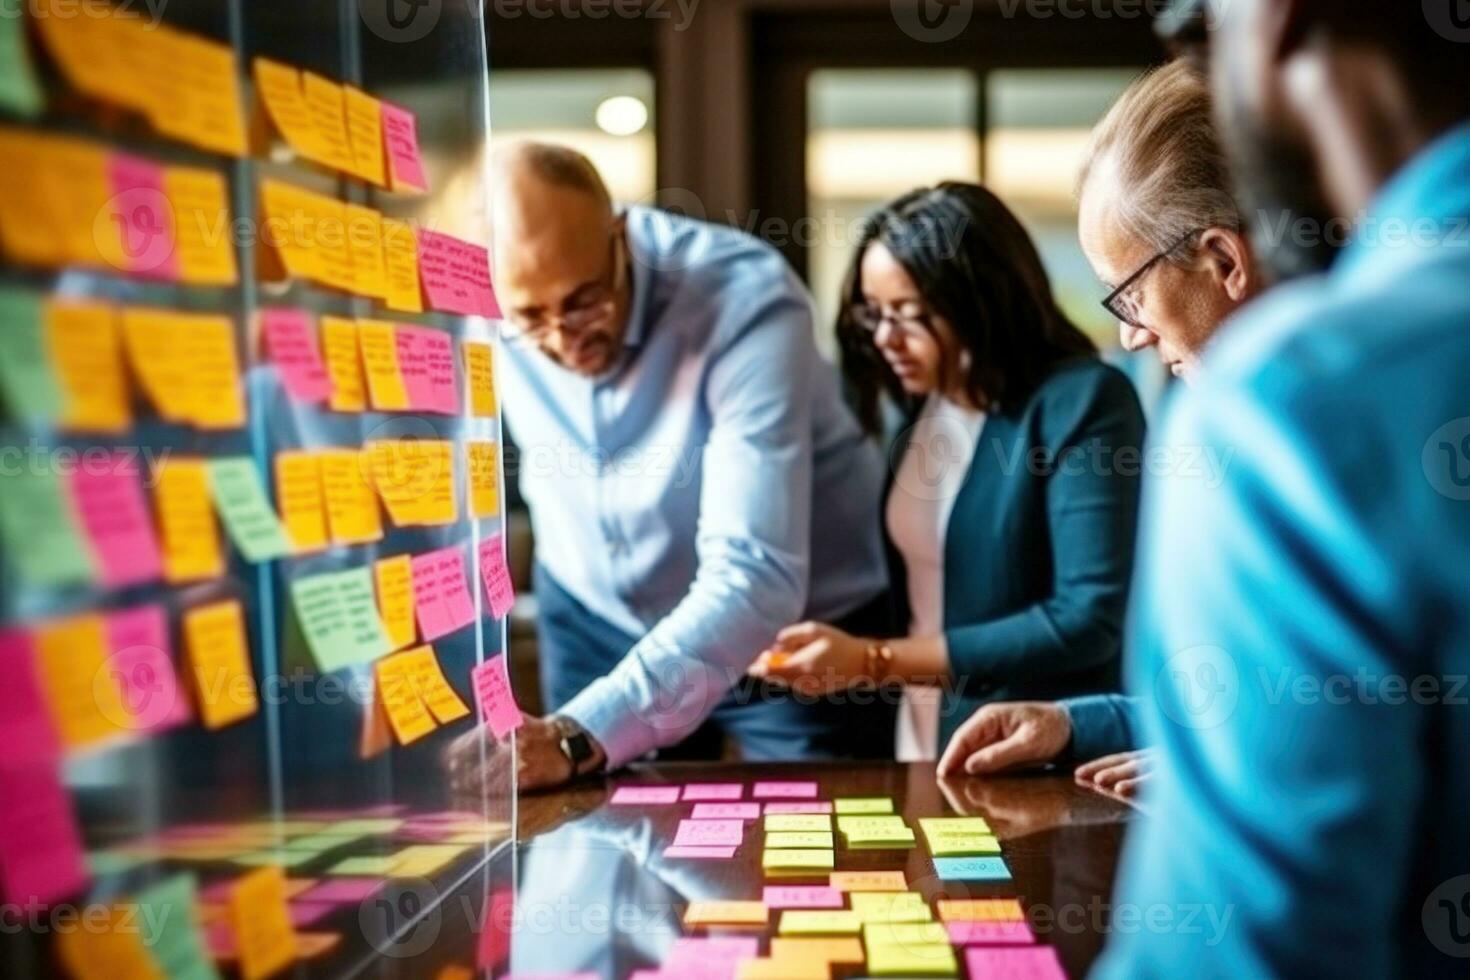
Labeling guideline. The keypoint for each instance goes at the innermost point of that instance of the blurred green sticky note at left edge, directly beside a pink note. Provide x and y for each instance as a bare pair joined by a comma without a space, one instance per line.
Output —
39,530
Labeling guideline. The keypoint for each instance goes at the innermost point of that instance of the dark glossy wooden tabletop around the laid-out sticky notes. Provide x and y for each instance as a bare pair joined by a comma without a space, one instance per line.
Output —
596,894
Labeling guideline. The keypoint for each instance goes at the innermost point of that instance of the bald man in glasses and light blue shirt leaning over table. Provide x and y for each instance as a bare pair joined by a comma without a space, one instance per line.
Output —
678,431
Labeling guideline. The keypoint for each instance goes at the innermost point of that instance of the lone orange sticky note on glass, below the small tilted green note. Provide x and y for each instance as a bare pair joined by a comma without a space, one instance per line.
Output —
220,663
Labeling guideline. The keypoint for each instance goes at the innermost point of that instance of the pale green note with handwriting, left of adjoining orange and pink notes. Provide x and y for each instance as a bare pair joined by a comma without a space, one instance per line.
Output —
339,615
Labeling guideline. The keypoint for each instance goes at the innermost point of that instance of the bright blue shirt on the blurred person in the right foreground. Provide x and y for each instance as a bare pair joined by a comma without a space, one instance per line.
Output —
1303,634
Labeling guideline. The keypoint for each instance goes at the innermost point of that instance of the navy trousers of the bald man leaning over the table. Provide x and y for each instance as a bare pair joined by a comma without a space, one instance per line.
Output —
767,724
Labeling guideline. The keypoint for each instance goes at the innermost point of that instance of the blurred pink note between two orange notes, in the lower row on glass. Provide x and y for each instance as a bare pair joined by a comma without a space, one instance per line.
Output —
142,660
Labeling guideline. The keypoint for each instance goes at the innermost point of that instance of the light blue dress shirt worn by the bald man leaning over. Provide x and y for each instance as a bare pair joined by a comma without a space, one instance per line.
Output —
708,491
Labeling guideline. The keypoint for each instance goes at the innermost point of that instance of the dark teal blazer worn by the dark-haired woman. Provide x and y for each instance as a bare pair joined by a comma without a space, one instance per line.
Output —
1040,546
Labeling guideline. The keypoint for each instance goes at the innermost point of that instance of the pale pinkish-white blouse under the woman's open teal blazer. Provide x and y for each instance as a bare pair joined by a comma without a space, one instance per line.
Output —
930,477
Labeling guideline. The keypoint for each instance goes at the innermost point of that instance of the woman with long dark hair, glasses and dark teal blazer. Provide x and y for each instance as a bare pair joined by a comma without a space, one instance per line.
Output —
1014,500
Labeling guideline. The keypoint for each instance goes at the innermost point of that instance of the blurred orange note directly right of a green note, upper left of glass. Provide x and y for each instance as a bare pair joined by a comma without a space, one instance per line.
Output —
87,352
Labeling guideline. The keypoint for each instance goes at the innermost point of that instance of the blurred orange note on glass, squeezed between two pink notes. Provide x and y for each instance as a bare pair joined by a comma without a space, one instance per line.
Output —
85,697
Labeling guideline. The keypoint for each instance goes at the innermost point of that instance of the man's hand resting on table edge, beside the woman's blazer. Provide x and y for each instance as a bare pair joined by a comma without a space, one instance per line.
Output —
1003,737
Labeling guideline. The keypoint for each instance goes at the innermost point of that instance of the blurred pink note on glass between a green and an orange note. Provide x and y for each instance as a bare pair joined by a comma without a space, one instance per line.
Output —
115,518
